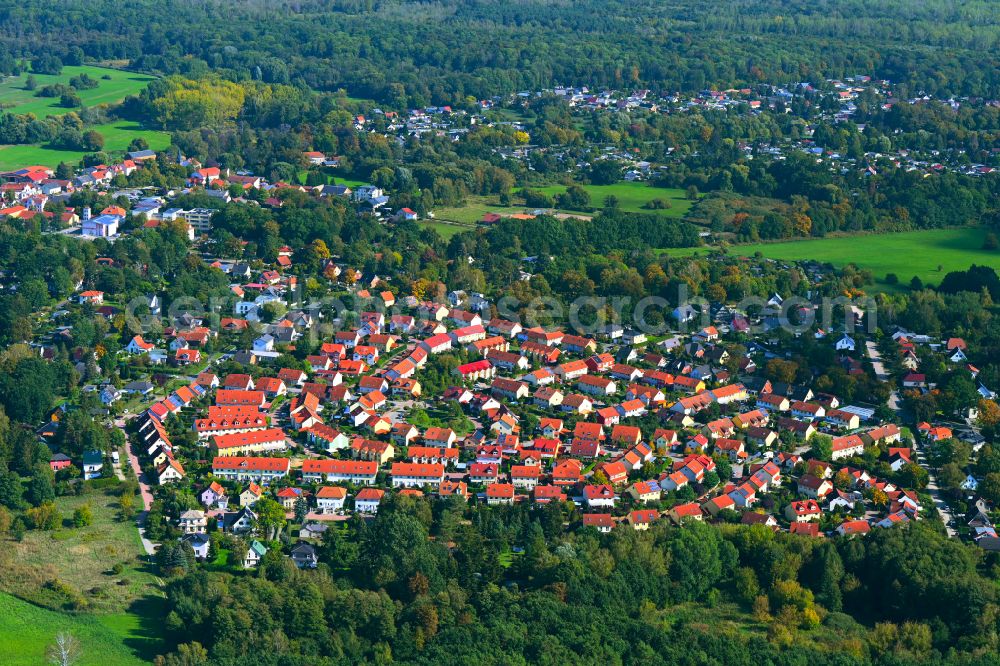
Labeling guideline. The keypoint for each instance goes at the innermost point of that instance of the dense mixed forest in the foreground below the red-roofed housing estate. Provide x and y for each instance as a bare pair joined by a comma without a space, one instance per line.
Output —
424,584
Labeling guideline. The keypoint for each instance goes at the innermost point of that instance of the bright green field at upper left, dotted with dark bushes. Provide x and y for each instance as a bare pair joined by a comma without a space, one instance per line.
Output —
15,98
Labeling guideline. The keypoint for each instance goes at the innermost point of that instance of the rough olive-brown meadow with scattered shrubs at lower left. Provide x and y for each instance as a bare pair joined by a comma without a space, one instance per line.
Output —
76,568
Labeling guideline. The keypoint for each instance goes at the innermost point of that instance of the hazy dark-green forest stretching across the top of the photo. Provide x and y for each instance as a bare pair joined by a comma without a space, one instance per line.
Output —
419,52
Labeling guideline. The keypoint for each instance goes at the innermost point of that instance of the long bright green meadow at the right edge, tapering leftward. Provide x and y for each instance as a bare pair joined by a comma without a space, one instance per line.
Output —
907,254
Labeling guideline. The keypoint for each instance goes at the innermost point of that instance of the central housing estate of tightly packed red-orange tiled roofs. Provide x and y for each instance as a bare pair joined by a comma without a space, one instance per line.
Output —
630,430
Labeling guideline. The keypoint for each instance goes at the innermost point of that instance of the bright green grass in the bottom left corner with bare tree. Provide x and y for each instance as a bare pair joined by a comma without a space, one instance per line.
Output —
105,640
